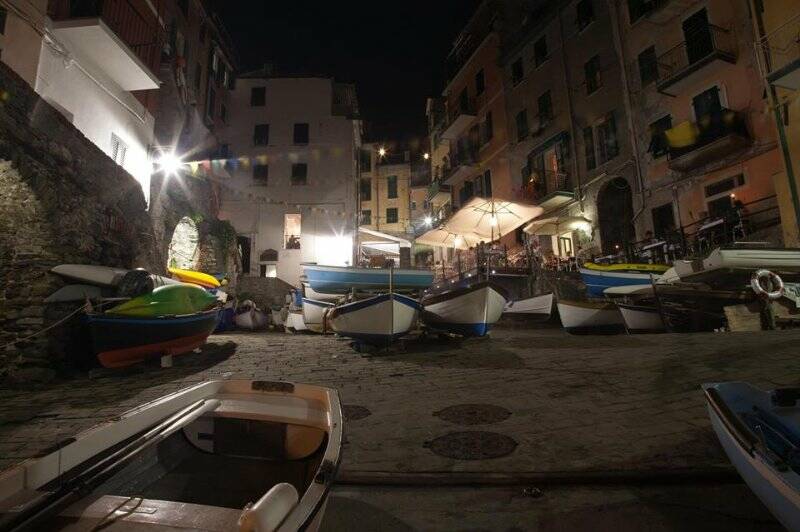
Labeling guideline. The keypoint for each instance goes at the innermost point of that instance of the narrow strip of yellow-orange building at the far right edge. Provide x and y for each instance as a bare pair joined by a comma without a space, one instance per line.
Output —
776,25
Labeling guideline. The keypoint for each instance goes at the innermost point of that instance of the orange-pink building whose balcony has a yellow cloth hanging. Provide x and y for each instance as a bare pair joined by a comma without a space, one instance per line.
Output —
703,127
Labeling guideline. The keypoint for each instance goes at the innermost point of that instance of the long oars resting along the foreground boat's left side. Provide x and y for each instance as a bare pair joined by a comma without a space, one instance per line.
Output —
87,480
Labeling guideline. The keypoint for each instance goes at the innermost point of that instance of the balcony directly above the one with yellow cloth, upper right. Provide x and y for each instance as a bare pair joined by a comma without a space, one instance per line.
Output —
700,57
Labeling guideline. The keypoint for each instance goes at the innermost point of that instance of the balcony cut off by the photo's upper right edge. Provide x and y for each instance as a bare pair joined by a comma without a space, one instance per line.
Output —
778,55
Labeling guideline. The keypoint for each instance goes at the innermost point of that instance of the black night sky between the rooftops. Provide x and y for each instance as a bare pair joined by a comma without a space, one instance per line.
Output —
393,51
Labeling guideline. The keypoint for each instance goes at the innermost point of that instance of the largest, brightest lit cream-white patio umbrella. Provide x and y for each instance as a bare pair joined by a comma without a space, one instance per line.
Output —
491,218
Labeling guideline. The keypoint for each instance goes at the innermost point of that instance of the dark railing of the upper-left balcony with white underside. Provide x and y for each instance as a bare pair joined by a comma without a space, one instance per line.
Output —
137,28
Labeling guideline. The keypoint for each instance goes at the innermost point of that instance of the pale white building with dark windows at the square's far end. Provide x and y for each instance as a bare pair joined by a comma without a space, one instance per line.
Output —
292,194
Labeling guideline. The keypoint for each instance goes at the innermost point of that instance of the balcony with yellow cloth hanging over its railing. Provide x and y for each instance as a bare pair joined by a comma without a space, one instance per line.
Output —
695,144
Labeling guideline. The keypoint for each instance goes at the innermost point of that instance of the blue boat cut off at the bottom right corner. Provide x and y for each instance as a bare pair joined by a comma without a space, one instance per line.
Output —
760,432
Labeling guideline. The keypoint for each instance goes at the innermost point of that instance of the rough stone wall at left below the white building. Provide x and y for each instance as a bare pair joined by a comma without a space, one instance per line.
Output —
62,200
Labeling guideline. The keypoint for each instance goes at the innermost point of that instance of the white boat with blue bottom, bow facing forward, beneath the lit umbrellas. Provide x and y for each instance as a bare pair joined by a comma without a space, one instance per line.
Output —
468,311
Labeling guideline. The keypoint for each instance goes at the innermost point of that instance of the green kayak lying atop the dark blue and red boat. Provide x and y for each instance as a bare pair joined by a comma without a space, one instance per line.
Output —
172,299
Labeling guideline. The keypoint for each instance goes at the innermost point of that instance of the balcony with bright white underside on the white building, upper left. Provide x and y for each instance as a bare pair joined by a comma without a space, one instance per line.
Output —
112,35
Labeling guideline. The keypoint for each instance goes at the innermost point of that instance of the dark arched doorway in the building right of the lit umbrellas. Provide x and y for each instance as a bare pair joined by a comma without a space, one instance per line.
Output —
615,216
